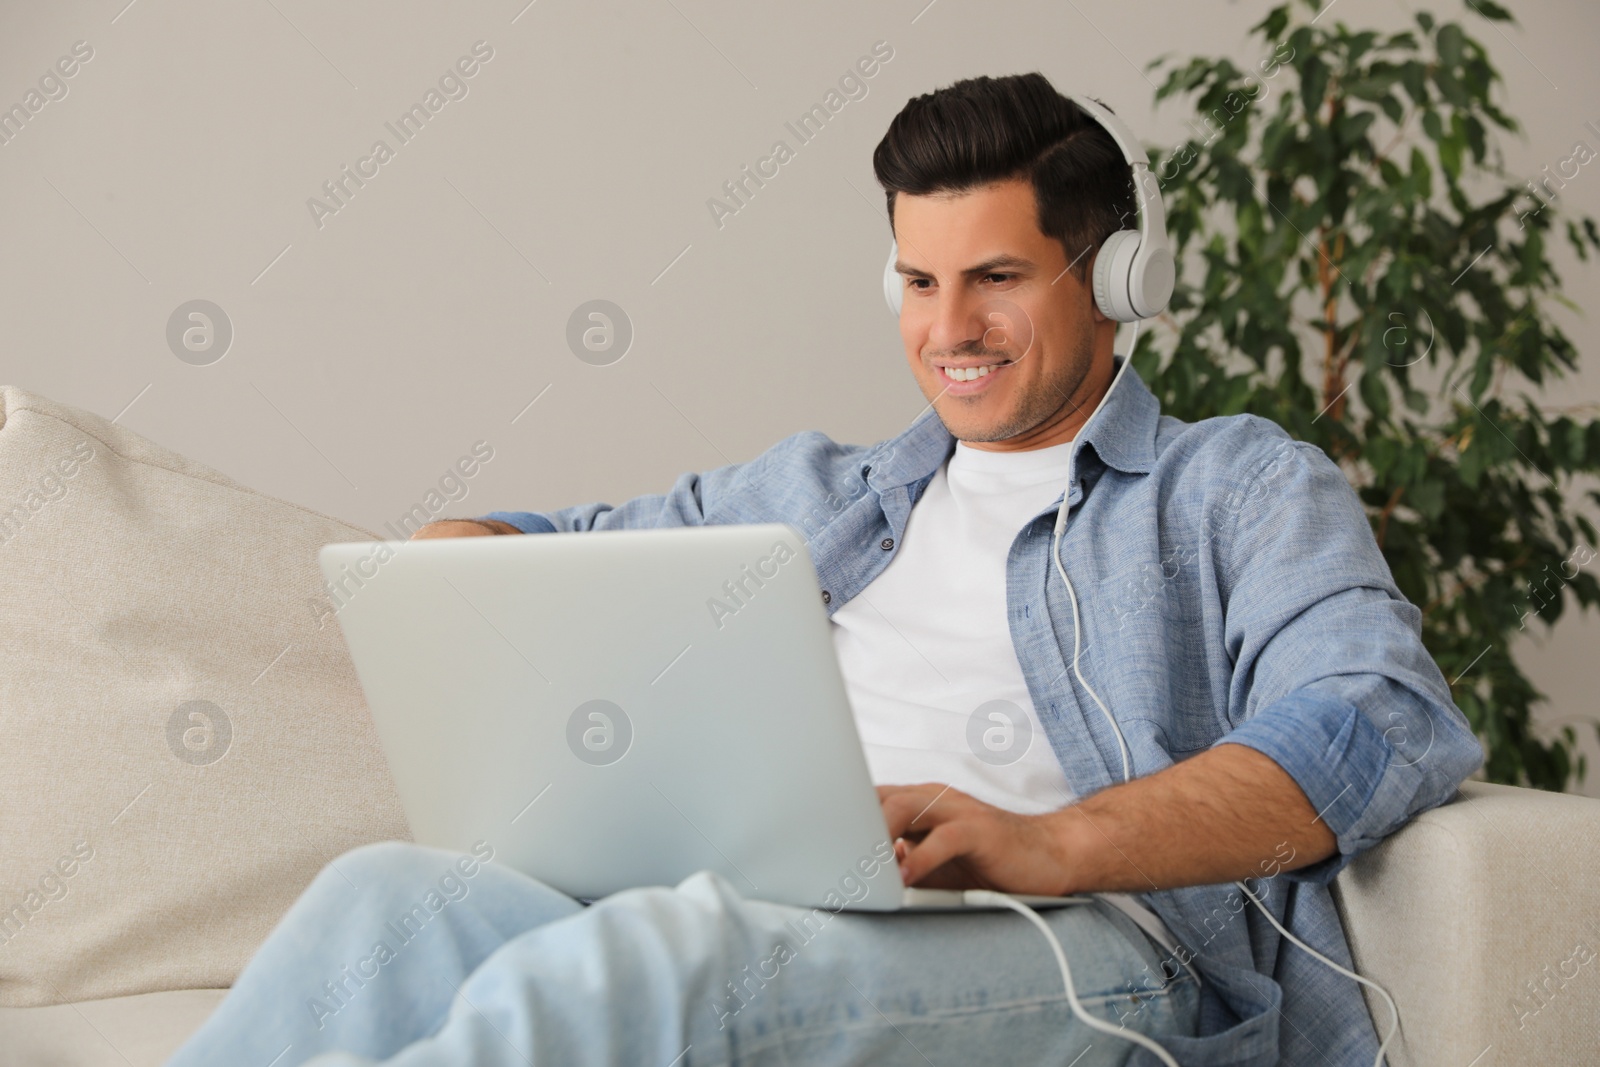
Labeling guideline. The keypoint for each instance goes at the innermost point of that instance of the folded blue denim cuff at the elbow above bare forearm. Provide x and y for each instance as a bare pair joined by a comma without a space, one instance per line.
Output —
1343,765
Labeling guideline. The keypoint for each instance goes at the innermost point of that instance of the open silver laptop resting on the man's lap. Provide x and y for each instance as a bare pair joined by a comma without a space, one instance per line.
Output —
623,709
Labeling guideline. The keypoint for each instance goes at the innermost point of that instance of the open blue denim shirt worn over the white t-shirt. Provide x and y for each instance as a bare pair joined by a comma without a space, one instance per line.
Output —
1231,591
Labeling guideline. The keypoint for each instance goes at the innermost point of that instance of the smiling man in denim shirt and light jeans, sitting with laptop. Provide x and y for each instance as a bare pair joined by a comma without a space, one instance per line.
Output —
1241,637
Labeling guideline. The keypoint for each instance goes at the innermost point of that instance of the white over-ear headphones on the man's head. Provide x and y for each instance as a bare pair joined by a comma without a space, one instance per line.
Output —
1134,271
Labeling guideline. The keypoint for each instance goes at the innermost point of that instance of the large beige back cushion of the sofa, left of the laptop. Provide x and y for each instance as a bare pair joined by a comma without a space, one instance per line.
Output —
186,741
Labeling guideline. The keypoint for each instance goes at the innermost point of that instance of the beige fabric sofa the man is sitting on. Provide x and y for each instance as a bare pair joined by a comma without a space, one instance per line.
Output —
186,746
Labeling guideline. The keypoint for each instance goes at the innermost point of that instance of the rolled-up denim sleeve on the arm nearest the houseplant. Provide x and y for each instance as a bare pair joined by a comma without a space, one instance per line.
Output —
1330,674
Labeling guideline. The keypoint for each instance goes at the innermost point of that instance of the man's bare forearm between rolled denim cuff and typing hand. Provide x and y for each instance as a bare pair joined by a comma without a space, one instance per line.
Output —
1225,815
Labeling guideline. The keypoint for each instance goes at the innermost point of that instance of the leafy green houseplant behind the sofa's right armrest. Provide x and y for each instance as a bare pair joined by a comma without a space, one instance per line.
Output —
1372,279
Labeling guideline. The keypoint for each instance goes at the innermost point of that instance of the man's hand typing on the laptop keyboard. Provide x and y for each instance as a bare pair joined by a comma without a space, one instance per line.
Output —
948,841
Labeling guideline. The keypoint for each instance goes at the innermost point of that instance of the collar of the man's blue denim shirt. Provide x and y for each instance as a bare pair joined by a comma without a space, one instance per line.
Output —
1122,436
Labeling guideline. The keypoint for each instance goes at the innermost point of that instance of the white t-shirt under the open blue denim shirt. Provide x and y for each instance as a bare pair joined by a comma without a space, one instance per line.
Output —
927,653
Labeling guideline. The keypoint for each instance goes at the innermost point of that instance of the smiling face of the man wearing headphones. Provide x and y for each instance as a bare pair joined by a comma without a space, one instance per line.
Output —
985,289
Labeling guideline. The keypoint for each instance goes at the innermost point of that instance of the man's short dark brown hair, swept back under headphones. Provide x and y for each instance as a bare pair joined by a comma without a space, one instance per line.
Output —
986,130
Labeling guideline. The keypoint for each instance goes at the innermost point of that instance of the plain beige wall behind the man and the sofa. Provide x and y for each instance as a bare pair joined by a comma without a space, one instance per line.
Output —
374,346
